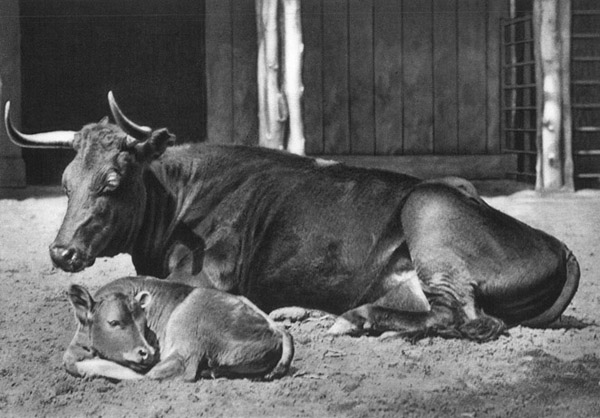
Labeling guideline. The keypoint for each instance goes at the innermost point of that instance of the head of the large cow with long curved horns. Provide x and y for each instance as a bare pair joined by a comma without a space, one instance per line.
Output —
104,185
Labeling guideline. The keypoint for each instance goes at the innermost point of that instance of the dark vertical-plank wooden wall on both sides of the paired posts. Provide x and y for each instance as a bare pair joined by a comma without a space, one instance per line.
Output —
382,77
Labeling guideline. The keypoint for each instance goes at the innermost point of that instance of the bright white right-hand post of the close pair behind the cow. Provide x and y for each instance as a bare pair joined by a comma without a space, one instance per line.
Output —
293,50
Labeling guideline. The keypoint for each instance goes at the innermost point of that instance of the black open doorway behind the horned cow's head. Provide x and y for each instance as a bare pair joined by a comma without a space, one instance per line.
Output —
149,52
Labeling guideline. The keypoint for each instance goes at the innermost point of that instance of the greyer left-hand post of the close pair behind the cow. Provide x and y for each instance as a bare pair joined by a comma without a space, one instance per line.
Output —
271,128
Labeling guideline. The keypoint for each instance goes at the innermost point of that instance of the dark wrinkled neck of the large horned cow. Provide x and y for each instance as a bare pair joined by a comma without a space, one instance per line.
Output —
171,188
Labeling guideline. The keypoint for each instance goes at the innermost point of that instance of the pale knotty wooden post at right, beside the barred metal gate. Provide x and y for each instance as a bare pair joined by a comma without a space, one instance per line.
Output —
554,166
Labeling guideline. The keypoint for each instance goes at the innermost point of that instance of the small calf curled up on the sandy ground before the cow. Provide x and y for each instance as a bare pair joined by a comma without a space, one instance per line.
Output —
136,324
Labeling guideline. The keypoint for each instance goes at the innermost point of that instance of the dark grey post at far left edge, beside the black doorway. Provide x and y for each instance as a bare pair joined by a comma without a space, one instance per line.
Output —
12,166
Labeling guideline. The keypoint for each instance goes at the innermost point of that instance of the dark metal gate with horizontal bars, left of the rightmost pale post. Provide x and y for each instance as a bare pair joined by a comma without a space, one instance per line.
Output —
519,116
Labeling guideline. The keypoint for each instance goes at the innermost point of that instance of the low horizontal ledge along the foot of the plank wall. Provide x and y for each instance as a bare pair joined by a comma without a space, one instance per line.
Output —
493,166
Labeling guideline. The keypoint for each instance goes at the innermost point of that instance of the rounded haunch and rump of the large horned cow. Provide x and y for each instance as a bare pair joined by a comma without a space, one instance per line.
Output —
515,272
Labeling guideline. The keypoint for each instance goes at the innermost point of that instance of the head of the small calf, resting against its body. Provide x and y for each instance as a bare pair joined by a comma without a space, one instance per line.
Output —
116,326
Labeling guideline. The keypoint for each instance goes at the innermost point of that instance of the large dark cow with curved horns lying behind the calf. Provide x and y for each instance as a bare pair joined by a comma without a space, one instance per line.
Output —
384,251
